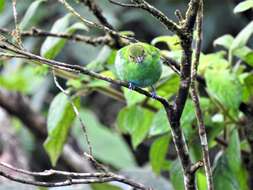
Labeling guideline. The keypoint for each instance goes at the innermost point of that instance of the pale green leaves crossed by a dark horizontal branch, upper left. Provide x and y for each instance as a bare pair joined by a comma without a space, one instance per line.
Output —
52,46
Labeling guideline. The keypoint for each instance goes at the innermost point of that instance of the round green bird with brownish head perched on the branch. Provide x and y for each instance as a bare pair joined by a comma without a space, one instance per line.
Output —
139,64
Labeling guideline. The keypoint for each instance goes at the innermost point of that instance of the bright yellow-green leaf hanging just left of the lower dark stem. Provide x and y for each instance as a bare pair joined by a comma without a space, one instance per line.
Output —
158,151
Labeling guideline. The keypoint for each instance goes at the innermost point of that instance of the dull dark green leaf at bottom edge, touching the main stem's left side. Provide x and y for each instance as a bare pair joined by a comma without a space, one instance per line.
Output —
176,174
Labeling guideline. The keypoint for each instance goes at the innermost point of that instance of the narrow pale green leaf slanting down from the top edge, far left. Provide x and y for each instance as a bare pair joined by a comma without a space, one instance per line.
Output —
31,11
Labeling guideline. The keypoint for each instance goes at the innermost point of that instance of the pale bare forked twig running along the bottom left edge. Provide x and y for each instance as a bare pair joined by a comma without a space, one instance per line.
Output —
70,178
